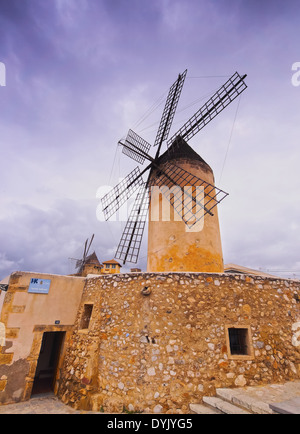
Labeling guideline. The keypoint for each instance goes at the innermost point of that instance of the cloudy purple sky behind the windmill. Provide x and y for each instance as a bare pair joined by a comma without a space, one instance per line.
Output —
80,73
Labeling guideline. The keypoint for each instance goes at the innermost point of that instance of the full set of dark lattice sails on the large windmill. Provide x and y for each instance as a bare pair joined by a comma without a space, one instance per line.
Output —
163,172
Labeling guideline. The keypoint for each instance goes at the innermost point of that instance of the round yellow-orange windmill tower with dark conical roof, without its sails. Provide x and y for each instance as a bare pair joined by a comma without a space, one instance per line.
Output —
174,244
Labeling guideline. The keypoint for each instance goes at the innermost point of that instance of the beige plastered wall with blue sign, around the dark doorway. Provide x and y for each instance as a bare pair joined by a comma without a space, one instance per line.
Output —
26,317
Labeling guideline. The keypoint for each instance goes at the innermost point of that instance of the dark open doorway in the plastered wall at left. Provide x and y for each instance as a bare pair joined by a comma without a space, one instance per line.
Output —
47,364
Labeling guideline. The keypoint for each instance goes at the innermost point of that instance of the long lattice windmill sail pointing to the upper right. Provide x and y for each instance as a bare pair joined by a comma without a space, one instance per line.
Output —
221,99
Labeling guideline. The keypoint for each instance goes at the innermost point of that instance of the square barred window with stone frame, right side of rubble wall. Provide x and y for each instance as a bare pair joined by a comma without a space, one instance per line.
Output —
239,343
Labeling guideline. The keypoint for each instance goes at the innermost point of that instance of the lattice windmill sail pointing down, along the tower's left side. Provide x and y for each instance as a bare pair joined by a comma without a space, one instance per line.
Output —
131,240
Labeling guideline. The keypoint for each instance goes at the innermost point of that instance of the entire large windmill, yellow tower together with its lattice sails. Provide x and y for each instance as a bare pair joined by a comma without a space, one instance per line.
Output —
179,190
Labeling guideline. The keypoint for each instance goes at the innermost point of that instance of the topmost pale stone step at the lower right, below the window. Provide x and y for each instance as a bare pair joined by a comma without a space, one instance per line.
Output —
250,404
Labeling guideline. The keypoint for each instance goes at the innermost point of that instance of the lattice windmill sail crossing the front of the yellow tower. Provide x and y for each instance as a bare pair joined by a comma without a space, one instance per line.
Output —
189,205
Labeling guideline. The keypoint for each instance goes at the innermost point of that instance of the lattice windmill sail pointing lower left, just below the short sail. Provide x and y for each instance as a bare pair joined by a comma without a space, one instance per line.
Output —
113,200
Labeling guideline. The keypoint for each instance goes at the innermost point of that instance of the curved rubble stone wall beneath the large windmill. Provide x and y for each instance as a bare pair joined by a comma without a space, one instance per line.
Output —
158,342
